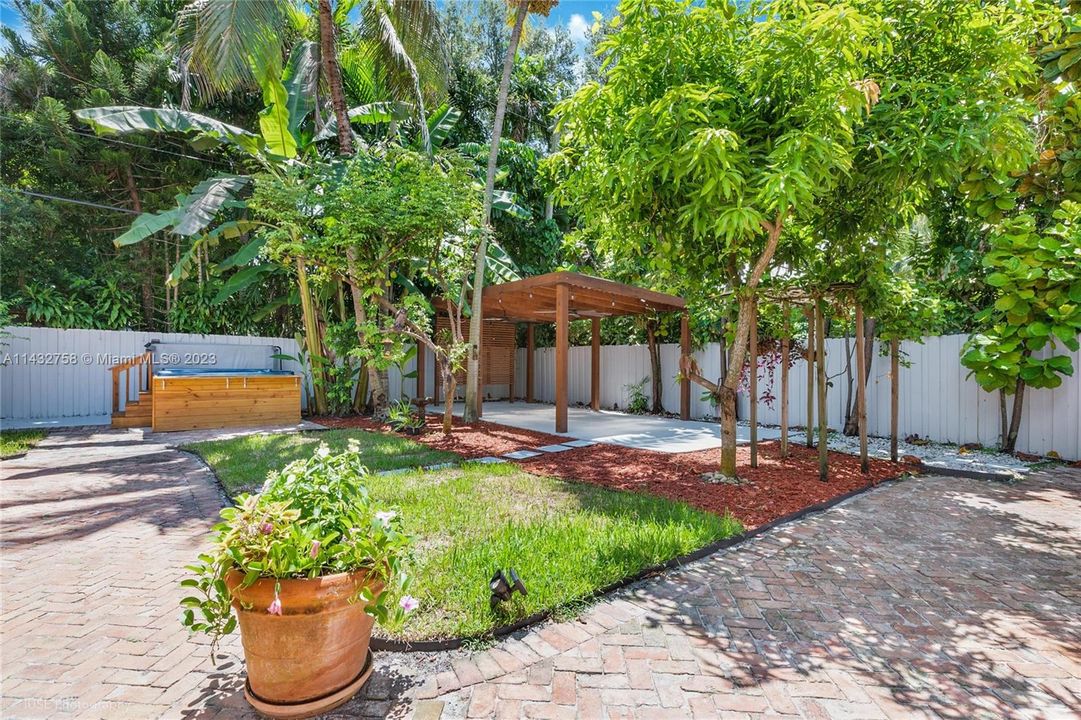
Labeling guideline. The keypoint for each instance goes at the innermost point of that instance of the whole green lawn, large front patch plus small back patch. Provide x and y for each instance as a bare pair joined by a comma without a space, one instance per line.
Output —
566,540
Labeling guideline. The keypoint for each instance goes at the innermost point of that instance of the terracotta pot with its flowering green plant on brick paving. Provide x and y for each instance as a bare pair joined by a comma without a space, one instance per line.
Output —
304,569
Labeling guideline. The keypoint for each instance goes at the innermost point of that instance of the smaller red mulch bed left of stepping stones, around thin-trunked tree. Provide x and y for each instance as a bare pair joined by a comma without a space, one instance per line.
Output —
471,442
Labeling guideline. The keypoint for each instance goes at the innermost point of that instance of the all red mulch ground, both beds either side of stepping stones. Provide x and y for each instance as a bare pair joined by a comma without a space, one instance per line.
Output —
775,489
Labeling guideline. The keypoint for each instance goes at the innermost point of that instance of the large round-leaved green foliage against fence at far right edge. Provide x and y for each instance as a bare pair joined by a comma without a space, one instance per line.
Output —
1037,277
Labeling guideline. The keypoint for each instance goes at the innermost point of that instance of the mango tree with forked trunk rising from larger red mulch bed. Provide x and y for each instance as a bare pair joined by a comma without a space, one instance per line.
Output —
724,137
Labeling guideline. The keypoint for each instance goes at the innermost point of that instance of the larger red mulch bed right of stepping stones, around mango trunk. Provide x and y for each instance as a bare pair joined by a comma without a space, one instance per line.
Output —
775,489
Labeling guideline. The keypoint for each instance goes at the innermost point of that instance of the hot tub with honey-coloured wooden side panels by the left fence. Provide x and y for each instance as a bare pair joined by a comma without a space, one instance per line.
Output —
199,398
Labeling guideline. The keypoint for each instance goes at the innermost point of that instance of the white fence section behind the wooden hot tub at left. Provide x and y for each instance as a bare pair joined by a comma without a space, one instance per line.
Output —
64,375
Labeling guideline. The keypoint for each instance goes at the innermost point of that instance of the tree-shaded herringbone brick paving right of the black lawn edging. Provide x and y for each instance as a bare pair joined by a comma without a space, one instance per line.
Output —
929,598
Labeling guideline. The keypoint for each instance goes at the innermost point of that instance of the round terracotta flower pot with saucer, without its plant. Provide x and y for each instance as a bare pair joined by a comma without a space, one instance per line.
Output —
314,656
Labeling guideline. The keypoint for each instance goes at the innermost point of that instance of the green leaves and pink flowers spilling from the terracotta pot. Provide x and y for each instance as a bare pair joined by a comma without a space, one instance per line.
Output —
315,517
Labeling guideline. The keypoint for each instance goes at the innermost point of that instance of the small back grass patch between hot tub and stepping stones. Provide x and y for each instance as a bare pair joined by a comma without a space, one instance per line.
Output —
243,464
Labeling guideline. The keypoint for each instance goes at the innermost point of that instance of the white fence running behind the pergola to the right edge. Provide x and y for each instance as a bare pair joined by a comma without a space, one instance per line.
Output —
938,402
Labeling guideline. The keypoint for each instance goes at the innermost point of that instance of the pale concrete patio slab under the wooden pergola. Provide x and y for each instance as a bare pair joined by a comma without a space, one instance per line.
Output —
666,435
